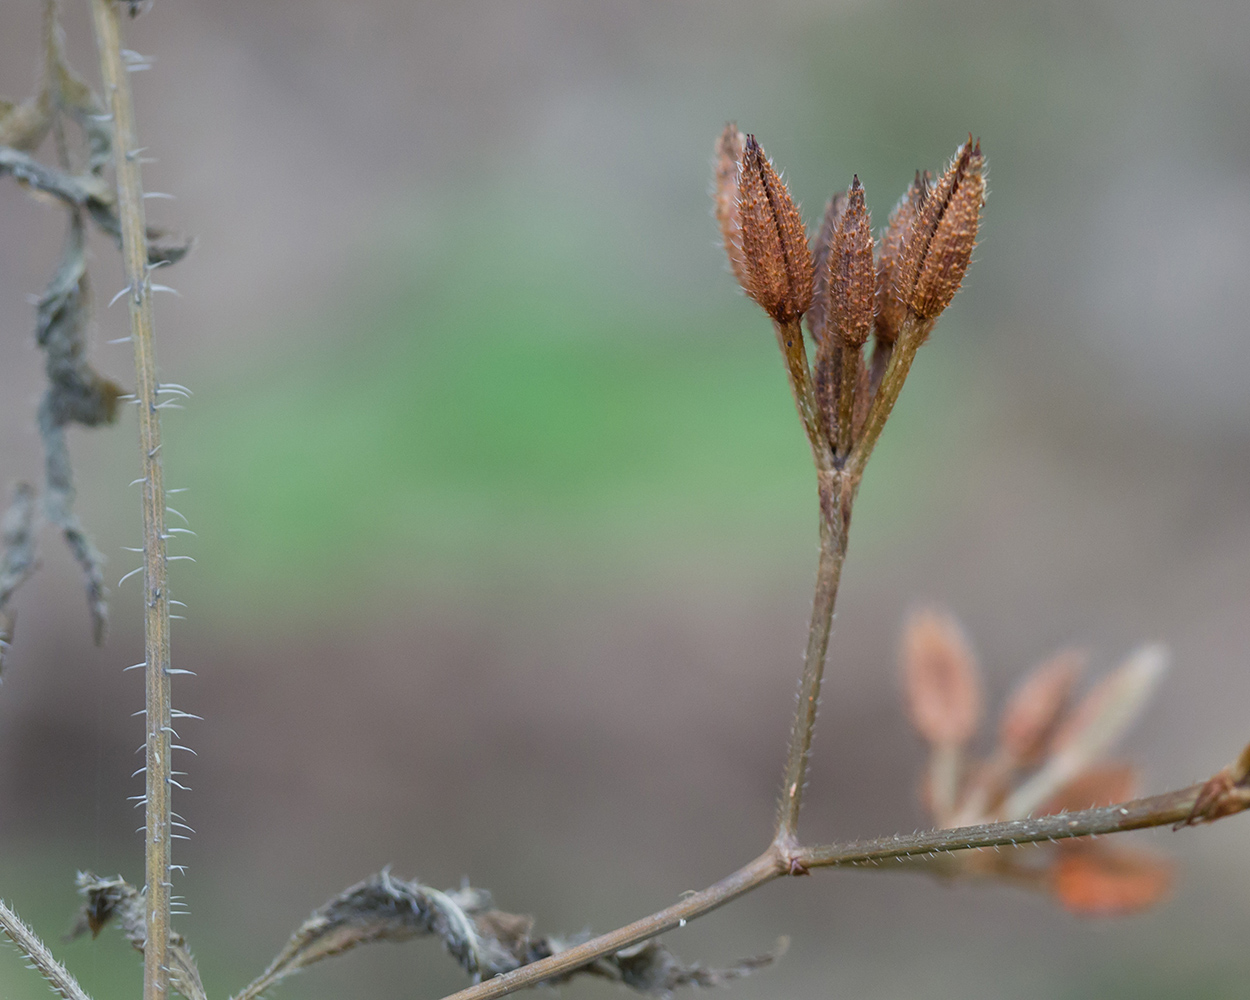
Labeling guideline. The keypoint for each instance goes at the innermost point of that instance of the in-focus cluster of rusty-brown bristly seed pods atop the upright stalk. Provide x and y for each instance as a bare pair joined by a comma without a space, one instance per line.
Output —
849,288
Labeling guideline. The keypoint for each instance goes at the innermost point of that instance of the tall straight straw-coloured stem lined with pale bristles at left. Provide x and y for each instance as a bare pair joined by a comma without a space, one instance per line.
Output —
134,249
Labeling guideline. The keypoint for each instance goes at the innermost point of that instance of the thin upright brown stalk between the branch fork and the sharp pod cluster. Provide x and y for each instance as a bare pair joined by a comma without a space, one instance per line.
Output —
834,521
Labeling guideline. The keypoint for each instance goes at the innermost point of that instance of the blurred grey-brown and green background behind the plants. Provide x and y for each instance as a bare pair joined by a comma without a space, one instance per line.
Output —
506,523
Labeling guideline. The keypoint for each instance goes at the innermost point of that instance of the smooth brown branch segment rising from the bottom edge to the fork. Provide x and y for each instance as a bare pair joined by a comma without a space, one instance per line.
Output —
764,869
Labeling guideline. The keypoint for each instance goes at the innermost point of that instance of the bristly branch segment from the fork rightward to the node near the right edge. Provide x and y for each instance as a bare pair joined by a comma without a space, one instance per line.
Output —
1172,808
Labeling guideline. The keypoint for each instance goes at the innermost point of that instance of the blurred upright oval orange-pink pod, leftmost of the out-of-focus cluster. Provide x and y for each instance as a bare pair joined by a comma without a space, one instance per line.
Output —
942,682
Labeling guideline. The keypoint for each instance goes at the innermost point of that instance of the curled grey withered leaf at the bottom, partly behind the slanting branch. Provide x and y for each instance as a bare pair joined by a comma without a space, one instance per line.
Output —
483,941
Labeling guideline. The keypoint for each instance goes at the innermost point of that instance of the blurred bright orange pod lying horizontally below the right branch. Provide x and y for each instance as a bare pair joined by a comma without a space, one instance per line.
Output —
1106,882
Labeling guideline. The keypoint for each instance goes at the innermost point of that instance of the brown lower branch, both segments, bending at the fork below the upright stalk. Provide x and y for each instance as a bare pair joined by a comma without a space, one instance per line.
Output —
1158,811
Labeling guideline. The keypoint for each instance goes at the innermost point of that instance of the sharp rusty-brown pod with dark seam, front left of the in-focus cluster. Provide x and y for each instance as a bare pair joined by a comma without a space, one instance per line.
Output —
776,254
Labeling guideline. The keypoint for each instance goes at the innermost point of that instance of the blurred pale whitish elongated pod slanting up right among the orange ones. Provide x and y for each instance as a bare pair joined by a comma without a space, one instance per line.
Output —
1091,731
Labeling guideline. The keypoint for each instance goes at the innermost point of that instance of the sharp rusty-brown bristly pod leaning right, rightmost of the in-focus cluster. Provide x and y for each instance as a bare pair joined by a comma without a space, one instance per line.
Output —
944,234
